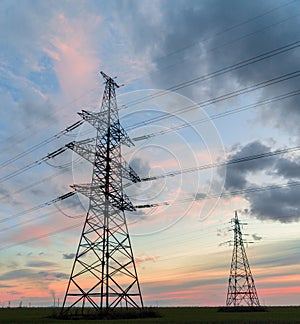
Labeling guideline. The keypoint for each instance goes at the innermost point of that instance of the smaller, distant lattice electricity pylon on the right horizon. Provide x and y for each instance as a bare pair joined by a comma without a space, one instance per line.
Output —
241,288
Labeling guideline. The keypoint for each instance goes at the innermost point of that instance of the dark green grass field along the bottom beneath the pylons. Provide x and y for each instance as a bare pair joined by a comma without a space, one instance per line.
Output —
176,315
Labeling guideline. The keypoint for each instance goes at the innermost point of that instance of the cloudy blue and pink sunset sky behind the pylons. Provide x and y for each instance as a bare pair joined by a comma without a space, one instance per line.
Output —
228,71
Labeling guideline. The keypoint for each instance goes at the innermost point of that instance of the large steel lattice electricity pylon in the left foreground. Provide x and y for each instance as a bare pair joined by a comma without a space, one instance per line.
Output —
104,274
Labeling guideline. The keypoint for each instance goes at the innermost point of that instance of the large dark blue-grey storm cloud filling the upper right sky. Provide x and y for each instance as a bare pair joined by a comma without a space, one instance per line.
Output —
187,39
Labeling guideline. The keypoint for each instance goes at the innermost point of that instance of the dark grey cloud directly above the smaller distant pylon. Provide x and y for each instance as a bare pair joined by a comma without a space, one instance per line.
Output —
281,204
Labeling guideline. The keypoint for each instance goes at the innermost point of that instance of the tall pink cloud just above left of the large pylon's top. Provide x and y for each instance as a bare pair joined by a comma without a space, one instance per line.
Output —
71,47
